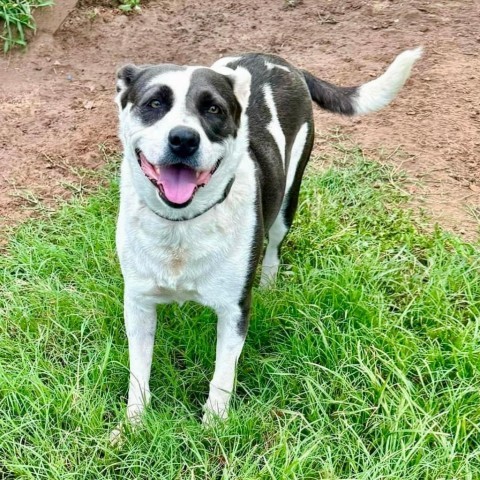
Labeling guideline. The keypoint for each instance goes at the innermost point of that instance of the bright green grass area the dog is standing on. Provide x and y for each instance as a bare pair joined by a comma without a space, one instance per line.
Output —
363,362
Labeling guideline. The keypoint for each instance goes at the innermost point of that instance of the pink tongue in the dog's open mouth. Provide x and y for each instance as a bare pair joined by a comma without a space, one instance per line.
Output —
179,183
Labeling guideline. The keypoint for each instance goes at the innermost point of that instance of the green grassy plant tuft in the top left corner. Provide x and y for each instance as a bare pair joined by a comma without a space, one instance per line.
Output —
17,18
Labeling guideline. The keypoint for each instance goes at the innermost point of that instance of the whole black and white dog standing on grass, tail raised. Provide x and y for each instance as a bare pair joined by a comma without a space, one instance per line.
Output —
213,161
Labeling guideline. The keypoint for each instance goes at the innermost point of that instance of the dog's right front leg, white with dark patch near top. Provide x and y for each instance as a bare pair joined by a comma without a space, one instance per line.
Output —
231,332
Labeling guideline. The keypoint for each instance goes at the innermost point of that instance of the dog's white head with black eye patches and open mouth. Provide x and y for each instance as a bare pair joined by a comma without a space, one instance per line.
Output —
180,127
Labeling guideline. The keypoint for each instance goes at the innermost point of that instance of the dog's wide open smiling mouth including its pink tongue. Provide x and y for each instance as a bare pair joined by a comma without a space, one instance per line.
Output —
177,184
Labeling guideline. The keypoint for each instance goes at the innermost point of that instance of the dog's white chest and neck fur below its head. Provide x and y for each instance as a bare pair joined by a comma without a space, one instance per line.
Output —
204,259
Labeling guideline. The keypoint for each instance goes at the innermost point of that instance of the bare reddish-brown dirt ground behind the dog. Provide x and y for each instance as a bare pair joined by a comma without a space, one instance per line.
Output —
56,100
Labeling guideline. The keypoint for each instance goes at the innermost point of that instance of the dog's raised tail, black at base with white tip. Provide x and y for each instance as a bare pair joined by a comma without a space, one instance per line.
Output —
366,98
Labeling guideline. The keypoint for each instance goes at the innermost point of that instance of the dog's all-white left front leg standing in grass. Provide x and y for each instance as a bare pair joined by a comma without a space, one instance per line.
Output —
140,323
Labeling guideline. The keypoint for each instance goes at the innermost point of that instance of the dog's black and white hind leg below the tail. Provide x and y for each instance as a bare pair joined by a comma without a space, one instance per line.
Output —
299,156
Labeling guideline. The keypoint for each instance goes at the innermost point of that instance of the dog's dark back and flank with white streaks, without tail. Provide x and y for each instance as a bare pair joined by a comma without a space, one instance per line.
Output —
279,106
